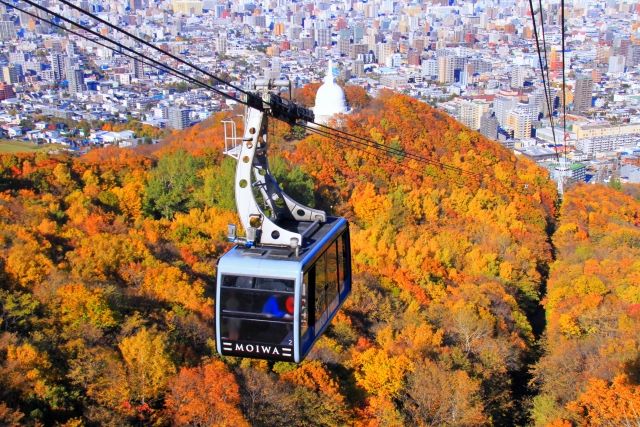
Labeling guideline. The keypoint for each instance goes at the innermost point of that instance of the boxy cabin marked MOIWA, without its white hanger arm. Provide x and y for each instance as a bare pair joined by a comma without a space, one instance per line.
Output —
274,304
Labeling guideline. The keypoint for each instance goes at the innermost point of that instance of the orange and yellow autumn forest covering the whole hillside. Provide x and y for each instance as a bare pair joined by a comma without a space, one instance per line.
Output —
474,302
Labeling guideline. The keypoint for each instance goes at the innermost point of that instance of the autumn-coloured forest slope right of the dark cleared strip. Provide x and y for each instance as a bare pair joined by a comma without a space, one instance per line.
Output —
590,372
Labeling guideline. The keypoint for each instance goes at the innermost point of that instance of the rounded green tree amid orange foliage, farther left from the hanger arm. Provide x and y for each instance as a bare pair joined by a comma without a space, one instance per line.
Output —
172,184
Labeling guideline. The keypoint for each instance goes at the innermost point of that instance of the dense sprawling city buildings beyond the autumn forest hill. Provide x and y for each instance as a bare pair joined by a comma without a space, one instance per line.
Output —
466,58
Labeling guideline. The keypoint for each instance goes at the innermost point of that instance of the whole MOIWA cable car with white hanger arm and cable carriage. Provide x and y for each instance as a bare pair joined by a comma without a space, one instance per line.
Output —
283,282
